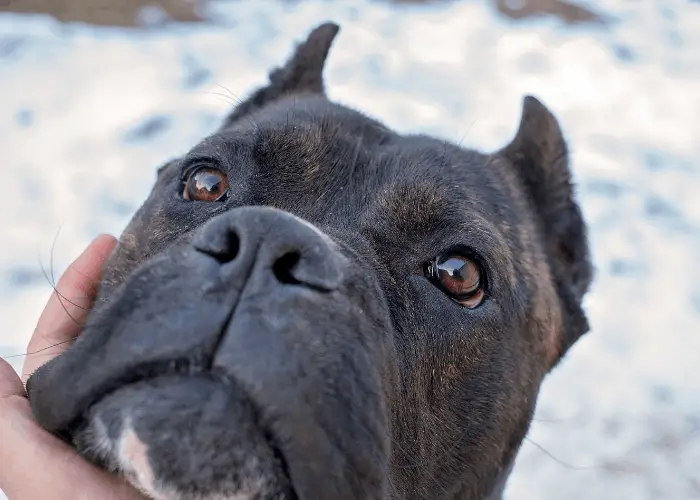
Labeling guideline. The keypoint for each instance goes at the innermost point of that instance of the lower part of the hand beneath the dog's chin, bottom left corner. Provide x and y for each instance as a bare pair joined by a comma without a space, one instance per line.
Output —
34,464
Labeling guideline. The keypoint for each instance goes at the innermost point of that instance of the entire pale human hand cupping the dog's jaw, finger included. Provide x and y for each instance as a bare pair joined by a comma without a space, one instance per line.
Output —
33,463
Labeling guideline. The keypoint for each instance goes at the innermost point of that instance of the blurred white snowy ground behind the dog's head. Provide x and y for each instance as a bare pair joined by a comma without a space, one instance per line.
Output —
86,114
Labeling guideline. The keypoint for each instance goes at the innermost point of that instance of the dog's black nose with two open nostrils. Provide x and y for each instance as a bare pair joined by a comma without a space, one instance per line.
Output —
275,246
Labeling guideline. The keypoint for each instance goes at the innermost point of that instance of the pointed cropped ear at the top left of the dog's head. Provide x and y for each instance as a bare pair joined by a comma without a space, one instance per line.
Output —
303,73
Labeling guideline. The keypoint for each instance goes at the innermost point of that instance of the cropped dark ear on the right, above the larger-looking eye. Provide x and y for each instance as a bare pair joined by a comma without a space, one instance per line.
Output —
539,155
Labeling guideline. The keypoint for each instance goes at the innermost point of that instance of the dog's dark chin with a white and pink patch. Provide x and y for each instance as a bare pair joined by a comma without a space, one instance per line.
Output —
184,438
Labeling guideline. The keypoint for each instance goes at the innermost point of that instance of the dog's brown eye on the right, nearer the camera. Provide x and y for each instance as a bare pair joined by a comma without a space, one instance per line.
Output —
458,276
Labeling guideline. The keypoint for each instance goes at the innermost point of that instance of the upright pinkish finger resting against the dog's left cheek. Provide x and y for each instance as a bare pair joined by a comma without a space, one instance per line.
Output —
68,306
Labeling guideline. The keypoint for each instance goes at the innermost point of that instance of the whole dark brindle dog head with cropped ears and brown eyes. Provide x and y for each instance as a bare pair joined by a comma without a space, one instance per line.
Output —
310,305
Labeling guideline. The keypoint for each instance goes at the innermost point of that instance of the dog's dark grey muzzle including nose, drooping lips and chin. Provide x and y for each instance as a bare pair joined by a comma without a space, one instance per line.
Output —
247,360
